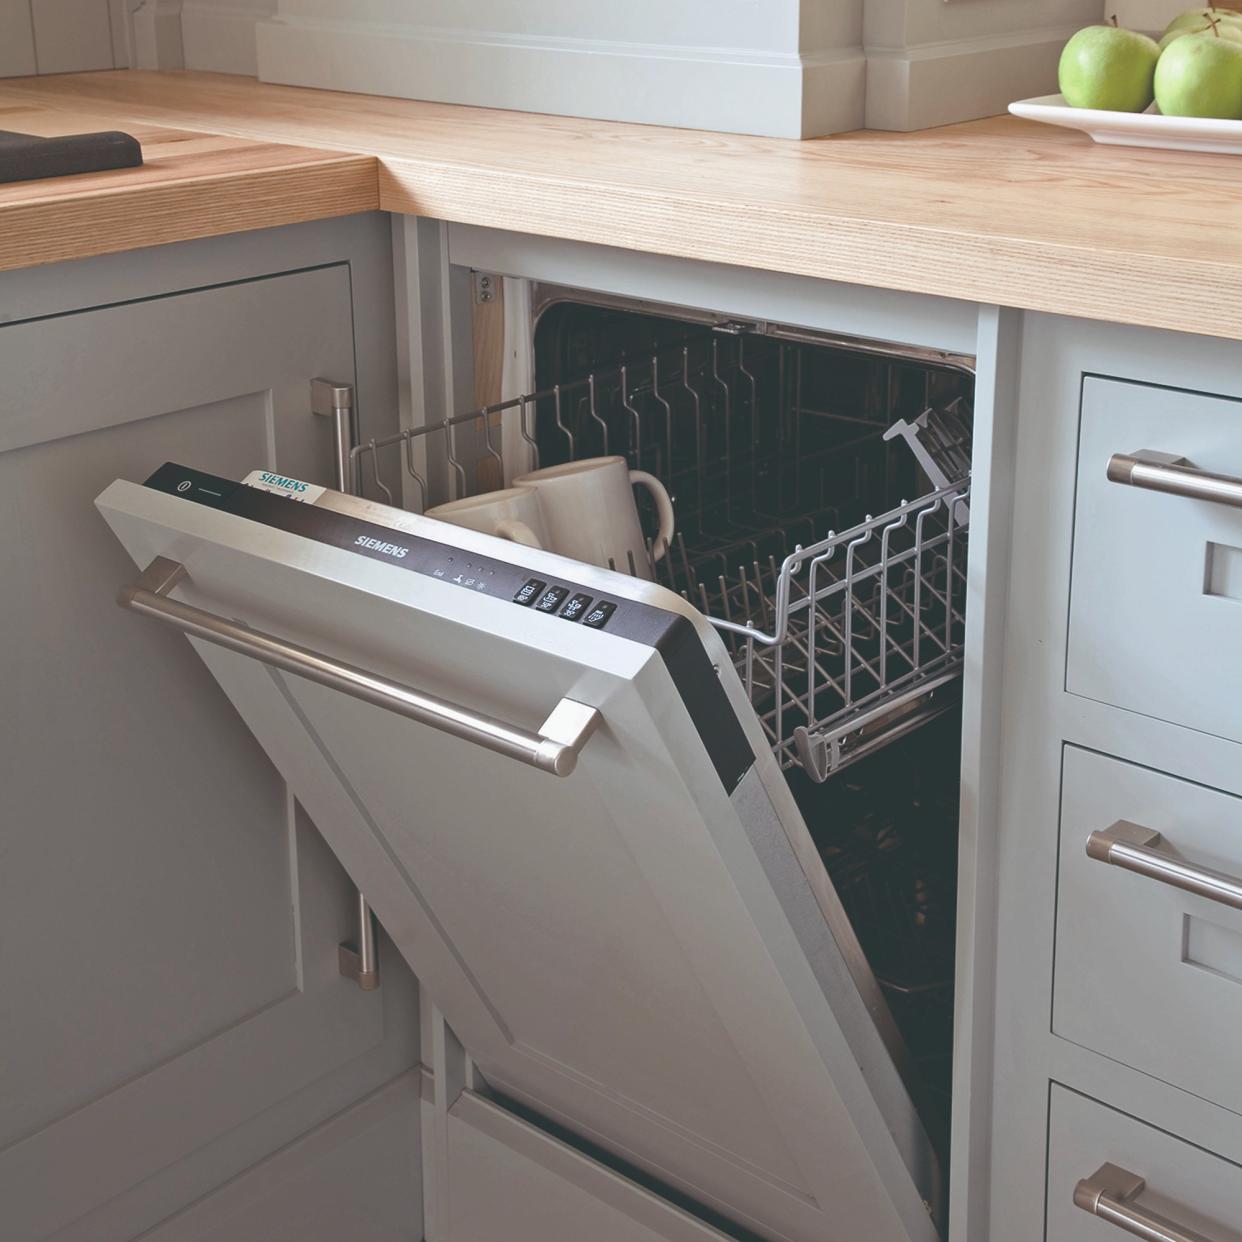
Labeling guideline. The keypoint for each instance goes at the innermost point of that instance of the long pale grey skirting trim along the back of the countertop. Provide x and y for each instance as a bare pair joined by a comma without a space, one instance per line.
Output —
783,96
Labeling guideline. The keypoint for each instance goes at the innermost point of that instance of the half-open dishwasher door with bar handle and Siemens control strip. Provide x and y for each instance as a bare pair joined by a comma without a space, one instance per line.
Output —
569,824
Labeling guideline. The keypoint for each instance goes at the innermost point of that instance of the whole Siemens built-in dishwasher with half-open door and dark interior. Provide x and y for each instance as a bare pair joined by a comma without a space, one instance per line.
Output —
682,880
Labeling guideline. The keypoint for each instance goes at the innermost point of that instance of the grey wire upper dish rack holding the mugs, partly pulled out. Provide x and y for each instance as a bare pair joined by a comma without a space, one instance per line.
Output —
846,627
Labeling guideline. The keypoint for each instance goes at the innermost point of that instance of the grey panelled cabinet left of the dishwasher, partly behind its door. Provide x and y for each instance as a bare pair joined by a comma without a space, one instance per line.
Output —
170,917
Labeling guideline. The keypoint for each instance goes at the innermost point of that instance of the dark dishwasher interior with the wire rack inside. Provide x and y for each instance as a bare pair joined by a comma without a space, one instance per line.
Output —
823,496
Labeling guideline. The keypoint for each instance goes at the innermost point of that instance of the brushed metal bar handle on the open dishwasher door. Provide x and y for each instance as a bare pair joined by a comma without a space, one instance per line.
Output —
553,750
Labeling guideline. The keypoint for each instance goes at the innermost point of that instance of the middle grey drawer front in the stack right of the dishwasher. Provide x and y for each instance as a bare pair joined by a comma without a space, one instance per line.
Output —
1147,973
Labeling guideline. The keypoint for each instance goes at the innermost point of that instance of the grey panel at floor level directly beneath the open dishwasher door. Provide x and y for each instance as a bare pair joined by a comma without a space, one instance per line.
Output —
510,1181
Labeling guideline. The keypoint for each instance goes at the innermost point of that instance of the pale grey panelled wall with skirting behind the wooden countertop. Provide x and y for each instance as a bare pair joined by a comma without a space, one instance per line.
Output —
804,71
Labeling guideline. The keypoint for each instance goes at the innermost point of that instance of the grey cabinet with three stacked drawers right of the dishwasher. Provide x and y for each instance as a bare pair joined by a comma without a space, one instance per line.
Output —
1115,990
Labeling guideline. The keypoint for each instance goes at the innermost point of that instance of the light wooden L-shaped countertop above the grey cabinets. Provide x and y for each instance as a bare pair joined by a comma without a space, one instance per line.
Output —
997,212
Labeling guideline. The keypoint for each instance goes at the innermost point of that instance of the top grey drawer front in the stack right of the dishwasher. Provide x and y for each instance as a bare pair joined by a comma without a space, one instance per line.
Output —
1156,618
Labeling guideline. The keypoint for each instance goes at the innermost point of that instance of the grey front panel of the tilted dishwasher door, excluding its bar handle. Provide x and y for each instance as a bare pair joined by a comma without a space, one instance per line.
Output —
609,945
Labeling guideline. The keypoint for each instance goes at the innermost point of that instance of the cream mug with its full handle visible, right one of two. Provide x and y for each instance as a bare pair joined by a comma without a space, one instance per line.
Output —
591,512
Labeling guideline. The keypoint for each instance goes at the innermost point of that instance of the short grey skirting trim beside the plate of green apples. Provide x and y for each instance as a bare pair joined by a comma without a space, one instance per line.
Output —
945,84
